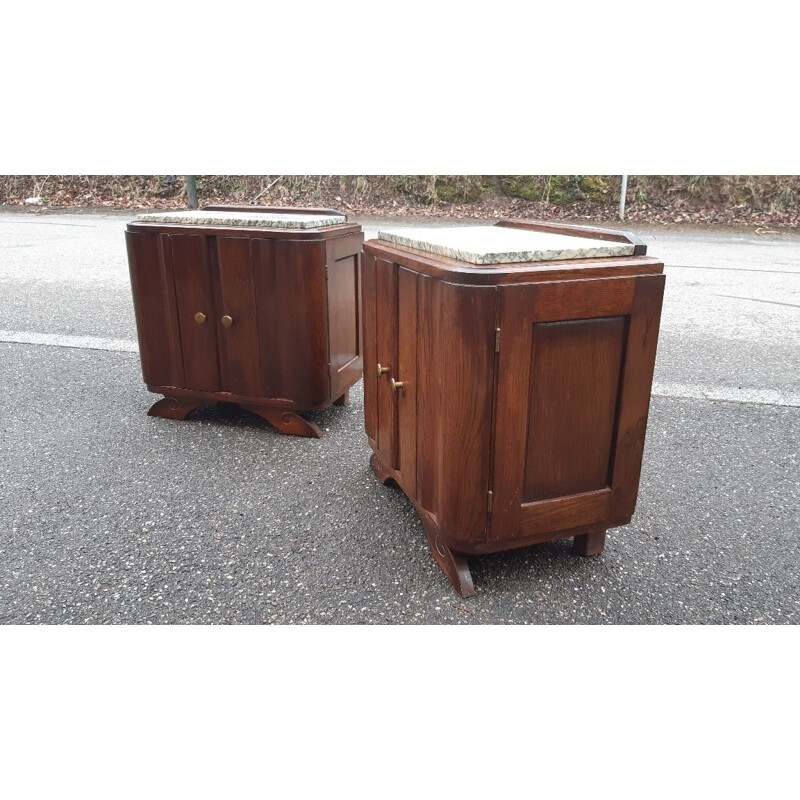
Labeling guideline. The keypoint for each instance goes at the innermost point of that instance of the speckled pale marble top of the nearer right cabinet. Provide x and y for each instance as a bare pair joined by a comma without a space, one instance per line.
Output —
491,244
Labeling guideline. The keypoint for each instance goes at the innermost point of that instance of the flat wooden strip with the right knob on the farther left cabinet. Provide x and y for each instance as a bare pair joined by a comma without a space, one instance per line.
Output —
240,353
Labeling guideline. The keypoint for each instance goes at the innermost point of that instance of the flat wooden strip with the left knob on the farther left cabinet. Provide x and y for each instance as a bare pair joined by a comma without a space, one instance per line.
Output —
194,292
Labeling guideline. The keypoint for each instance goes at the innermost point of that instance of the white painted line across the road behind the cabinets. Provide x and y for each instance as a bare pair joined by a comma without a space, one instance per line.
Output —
690,391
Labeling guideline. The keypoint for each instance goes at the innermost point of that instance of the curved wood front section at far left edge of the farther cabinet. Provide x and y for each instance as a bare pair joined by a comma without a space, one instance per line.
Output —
152,293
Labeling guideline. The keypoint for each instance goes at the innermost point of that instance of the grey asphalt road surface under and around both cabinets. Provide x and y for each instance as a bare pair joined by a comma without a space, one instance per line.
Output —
110,516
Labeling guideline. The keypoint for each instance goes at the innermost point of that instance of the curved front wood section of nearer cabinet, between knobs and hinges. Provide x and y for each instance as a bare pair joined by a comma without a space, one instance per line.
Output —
460,386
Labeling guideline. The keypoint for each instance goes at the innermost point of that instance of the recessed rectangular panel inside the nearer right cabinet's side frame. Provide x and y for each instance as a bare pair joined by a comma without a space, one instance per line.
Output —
574,389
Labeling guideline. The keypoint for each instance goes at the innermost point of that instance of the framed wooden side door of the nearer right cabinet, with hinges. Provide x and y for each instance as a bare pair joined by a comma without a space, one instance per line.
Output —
575,370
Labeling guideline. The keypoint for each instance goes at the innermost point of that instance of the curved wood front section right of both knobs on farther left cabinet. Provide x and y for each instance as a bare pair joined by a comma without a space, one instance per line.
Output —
292,316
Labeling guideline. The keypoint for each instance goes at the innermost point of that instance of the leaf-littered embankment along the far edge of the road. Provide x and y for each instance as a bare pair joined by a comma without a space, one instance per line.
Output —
765,201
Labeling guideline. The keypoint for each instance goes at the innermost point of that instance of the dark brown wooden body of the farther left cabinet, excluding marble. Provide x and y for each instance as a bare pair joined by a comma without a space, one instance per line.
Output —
267,318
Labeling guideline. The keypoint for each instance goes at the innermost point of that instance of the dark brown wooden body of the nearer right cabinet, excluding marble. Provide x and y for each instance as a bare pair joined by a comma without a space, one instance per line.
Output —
523,407
